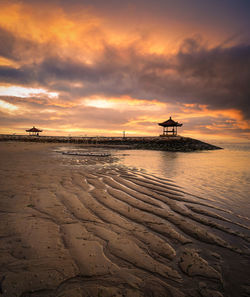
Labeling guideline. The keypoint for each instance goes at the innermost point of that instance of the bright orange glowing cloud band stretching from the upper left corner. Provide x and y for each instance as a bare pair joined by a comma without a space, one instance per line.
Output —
81,32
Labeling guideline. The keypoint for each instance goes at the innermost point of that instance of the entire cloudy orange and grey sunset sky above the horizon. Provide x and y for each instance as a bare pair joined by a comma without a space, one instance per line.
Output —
98,68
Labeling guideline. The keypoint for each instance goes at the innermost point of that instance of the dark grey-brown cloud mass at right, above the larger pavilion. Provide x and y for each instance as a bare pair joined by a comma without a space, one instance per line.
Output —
219,77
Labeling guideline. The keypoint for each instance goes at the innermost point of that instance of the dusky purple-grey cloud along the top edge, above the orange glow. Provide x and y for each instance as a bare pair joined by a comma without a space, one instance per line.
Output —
212,15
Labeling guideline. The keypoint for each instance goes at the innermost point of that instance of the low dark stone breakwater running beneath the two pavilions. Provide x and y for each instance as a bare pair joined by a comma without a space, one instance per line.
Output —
174,144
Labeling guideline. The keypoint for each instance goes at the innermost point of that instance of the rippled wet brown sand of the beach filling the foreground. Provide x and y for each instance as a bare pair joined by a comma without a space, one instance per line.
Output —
76,226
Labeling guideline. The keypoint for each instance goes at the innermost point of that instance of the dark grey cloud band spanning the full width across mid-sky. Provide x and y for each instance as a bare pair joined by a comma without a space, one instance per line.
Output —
217,77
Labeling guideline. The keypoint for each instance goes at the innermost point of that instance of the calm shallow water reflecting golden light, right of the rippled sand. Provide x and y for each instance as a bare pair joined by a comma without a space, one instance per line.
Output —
222,175
